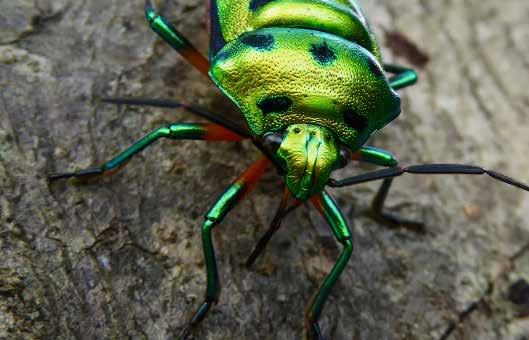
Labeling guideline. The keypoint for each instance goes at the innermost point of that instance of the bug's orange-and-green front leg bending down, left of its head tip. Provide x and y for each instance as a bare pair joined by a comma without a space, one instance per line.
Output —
229,199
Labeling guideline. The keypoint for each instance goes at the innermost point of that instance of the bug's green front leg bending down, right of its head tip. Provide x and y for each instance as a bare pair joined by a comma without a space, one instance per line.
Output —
330,211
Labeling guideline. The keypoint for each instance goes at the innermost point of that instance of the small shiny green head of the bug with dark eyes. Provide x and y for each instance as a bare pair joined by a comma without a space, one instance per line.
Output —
309,153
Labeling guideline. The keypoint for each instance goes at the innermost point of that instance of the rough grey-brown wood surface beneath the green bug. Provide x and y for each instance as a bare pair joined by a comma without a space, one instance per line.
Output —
122,258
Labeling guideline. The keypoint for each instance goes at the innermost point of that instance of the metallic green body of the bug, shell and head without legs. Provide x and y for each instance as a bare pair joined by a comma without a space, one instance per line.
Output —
310,69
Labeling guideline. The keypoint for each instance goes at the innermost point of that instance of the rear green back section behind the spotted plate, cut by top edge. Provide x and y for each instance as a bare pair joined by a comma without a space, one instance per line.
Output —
343,18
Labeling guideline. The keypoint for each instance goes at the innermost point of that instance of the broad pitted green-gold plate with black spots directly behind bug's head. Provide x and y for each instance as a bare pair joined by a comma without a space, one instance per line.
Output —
284,76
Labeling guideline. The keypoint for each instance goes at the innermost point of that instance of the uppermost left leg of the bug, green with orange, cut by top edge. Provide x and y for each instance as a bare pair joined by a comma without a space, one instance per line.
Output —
170,34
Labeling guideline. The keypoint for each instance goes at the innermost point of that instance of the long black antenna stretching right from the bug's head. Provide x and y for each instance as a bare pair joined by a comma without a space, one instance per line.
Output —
426,169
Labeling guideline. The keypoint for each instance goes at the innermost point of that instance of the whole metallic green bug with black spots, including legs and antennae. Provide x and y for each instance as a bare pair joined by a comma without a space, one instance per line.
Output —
307,75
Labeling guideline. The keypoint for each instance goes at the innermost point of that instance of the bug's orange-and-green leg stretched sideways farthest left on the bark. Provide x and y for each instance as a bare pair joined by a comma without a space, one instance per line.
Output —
208,132
